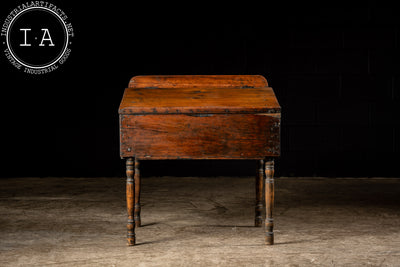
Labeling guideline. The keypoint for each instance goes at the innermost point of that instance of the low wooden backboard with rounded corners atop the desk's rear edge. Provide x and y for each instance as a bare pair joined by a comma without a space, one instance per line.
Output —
196,81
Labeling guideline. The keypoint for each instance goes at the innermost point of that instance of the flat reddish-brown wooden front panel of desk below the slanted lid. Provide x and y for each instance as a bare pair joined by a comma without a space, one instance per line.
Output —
233,136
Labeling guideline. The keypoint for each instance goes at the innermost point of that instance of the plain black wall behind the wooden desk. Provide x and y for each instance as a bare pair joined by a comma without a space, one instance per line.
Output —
335,71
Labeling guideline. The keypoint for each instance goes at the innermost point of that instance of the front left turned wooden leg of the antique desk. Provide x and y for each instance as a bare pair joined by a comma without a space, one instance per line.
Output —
130,196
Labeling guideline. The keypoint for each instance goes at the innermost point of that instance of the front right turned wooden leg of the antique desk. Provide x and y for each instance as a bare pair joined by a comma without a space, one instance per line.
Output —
269,201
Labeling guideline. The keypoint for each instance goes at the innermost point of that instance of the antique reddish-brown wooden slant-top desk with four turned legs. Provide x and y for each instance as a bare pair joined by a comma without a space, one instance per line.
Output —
200,117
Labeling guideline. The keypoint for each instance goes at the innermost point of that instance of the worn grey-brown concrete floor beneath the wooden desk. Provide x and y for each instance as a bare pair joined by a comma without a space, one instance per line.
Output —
199,222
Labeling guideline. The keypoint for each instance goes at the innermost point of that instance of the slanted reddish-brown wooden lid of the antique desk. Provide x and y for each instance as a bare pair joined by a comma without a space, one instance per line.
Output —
198,100
